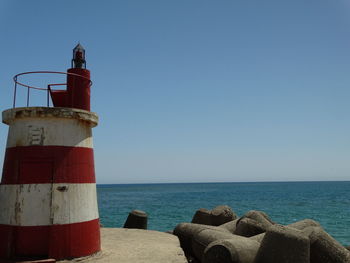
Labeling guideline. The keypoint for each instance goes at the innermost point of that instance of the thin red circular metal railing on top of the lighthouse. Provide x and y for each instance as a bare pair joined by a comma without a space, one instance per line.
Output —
48,89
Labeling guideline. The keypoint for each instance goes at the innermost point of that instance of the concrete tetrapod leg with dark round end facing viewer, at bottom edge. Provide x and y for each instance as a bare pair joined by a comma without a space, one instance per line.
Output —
234,250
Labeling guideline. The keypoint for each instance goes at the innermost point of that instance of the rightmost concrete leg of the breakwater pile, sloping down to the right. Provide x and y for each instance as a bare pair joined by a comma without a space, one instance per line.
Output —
324,248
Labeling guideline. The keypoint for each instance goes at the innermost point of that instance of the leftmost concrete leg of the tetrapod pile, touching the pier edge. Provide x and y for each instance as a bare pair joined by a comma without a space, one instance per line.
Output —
186,231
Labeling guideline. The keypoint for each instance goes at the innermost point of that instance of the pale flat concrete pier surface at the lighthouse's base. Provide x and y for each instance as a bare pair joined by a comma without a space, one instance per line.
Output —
136,246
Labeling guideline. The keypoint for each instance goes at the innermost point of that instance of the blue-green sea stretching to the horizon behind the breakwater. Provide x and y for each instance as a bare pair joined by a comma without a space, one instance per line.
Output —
285,202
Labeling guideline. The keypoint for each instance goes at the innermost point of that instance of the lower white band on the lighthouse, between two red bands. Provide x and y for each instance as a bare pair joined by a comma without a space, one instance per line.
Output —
66,207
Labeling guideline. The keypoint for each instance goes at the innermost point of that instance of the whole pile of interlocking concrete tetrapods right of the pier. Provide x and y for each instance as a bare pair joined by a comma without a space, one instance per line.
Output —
255,238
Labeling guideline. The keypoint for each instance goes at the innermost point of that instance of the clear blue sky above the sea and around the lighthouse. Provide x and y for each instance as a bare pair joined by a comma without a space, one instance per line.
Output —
198,91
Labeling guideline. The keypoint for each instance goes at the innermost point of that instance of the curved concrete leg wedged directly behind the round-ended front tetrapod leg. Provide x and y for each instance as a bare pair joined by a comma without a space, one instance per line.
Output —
203,238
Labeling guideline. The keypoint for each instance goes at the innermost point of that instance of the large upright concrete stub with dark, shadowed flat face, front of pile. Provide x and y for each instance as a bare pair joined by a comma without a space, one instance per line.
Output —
284,245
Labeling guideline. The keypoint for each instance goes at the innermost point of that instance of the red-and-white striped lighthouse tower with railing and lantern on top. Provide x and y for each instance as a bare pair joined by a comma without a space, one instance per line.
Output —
48,204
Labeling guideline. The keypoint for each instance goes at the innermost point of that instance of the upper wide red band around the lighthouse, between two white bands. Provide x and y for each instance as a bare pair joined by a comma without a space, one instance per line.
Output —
35,165
